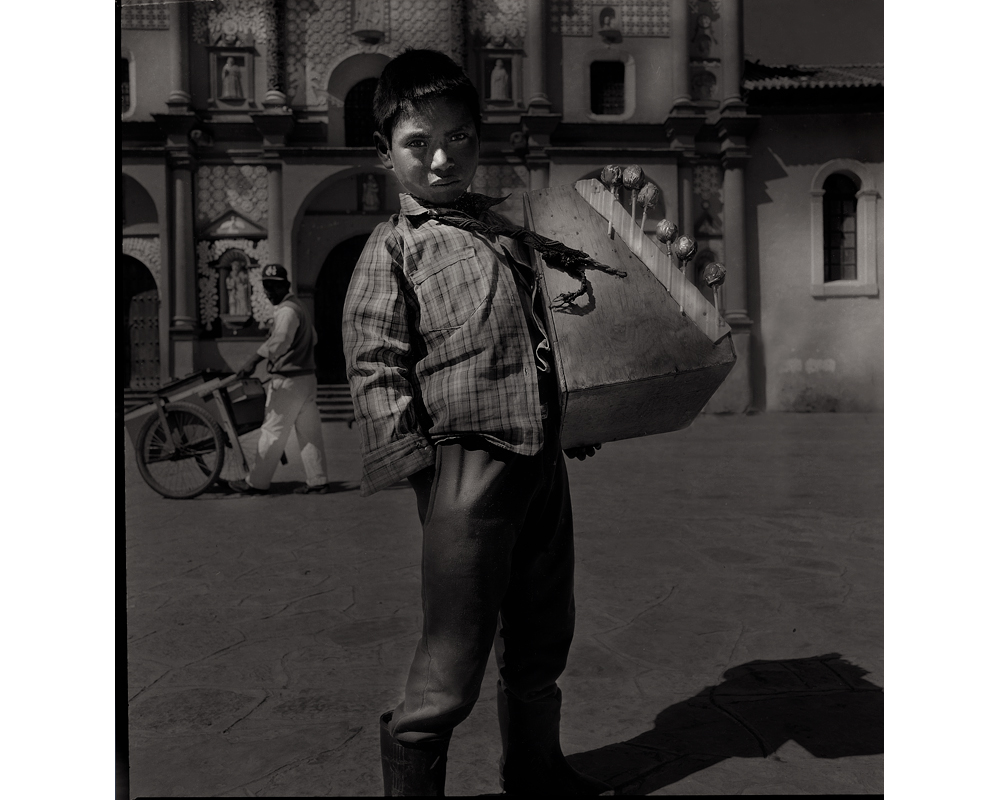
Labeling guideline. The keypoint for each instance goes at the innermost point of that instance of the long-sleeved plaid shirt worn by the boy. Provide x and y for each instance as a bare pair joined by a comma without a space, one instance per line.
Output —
438,344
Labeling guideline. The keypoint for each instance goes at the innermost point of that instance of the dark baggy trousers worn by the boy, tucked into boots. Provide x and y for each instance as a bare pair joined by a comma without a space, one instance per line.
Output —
497,568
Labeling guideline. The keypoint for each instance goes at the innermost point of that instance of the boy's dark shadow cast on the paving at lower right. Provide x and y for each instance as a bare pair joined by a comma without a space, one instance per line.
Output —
823,703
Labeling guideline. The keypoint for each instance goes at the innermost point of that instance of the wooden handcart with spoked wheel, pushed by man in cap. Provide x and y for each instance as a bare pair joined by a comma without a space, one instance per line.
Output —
181,438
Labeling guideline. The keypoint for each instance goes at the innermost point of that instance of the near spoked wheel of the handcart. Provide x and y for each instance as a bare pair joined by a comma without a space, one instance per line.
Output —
184,460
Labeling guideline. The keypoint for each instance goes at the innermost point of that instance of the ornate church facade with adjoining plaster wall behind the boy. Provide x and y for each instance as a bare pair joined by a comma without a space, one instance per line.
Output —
246,140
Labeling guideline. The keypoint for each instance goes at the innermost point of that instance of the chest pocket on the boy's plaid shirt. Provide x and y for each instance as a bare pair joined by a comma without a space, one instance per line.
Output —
450,290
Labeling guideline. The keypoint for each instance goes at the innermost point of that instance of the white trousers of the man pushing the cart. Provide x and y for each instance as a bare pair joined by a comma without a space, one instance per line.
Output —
291,403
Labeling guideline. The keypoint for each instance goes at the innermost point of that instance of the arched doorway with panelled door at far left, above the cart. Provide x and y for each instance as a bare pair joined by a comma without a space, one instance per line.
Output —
139,332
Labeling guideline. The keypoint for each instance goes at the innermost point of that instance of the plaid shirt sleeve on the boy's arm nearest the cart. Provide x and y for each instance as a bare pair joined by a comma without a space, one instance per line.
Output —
380,360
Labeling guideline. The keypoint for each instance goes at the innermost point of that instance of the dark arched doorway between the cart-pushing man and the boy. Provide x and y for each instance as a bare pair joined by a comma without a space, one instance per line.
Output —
330,294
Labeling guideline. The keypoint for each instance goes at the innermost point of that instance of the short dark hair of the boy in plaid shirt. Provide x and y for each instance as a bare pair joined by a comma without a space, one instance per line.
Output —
415,78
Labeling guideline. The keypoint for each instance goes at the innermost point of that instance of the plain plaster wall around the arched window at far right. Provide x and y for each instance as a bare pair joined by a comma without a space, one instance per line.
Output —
814,353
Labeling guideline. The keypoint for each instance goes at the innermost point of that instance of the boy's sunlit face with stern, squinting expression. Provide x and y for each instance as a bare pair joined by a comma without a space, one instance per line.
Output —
434,152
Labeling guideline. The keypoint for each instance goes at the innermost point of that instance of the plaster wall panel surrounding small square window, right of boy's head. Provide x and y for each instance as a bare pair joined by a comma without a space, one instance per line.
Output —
653,77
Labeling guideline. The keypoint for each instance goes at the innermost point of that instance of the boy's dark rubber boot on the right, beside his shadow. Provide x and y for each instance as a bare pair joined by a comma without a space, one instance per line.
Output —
532,761
